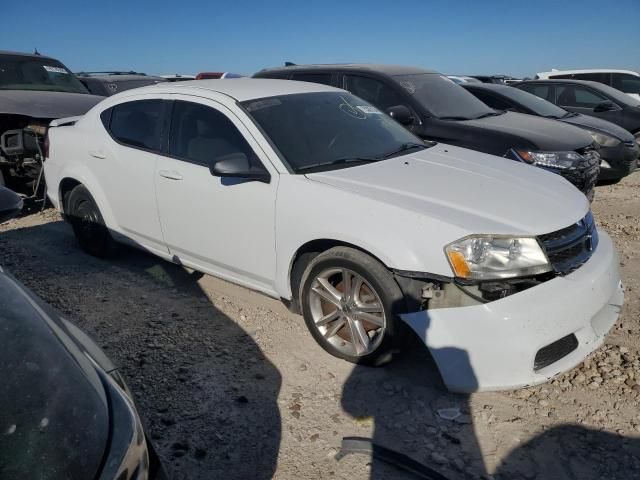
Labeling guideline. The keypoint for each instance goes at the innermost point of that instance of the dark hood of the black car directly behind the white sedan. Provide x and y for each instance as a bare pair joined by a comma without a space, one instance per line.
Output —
545,134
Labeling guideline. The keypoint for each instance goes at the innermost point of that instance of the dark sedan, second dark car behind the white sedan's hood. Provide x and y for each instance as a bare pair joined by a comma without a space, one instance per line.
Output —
618,149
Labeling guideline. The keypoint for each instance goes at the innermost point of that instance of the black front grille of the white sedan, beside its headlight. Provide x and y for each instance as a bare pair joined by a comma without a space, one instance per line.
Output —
571,247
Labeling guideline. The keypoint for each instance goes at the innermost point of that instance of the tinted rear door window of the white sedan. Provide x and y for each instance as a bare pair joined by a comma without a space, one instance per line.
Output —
137,124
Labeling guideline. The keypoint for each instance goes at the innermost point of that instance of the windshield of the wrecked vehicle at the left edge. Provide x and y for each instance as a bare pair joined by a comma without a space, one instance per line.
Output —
19,72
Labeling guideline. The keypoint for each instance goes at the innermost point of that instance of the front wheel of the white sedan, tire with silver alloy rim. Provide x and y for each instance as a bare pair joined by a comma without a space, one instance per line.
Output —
350,303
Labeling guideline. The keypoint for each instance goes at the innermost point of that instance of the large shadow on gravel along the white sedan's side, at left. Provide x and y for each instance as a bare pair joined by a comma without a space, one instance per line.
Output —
205,391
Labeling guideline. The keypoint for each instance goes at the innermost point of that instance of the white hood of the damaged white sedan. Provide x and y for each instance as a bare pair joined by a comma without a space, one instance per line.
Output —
478,193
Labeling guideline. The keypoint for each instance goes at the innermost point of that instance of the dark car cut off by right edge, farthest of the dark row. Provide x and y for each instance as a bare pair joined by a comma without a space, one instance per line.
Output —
589,98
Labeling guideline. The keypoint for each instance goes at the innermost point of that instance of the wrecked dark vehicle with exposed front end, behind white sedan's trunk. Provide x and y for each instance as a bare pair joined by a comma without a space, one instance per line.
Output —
34,90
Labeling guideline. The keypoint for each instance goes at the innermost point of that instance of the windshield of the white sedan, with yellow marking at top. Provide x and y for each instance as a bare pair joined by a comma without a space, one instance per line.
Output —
321,131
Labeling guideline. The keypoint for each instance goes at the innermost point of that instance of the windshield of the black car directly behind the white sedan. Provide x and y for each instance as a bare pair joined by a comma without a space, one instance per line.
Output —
442,97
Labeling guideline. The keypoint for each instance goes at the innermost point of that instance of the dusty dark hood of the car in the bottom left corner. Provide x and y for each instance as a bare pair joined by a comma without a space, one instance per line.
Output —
53,408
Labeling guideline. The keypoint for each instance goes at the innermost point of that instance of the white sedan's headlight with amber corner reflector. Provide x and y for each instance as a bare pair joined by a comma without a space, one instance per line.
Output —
491,257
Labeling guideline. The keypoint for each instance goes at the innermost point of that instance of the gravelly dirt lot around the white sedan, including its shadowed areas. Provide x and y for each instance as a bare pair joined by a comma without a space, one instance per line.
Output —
231,386
